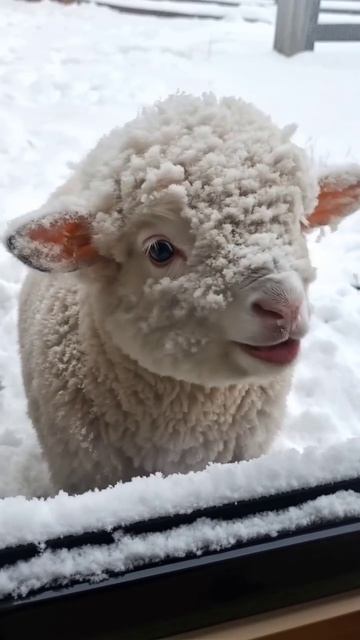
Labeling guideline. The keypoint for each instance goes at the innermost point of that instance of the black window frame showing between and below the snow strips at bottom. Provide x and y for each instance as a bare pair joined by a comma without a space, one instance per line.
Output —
158,600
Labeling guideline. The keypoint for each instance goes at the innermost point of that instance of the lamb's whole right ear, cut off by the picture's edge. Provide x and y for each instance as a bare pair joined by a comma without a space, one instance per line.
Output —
339,196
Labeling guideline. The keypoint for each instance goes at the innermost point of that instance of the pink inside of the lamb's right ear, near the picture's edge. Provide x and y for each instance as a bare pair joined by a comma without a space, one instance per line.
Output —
334,204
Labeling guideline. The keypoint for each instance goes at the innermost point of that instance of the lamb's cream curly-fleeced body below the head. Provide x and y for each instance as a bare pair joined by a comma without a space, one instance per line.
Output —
101,417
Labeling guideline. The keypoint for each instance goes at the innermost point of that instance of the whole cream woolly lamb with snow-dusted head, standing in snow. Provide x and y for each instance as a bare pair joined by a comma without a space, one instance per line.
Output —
161,325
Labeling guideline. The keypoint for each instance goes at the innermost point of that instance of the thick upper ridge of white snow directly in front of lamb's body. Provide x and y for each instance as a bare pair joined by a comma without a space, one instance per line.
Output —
37,520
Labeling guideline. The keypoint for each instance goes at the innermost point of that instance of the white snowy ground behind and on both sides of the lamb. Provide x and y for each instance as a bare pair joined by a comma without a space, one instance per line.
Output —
69,74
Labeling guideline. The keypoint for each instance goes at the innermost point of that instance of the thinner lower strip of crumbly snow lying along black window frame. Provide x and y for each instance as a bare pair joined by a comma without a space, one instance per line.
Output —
95,562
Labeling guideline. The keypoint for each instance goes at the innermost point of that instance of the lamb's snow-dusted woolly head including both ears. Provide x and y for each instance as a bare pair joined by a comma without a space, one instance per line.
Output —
193,220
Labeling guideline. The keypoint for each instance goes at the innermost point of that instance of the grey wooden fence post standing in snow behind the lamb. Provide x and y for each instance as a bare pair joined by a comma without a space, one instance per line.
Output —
296,22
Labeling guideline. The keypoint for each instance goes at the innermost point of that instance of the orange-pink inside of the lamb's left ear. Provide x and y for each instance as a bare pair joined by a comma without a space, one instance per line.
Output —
71,237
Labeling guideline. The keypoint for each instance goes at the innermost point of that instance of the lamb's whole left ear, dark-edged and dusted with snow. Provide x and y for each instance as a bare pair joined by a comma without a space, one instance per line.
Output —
60,242
